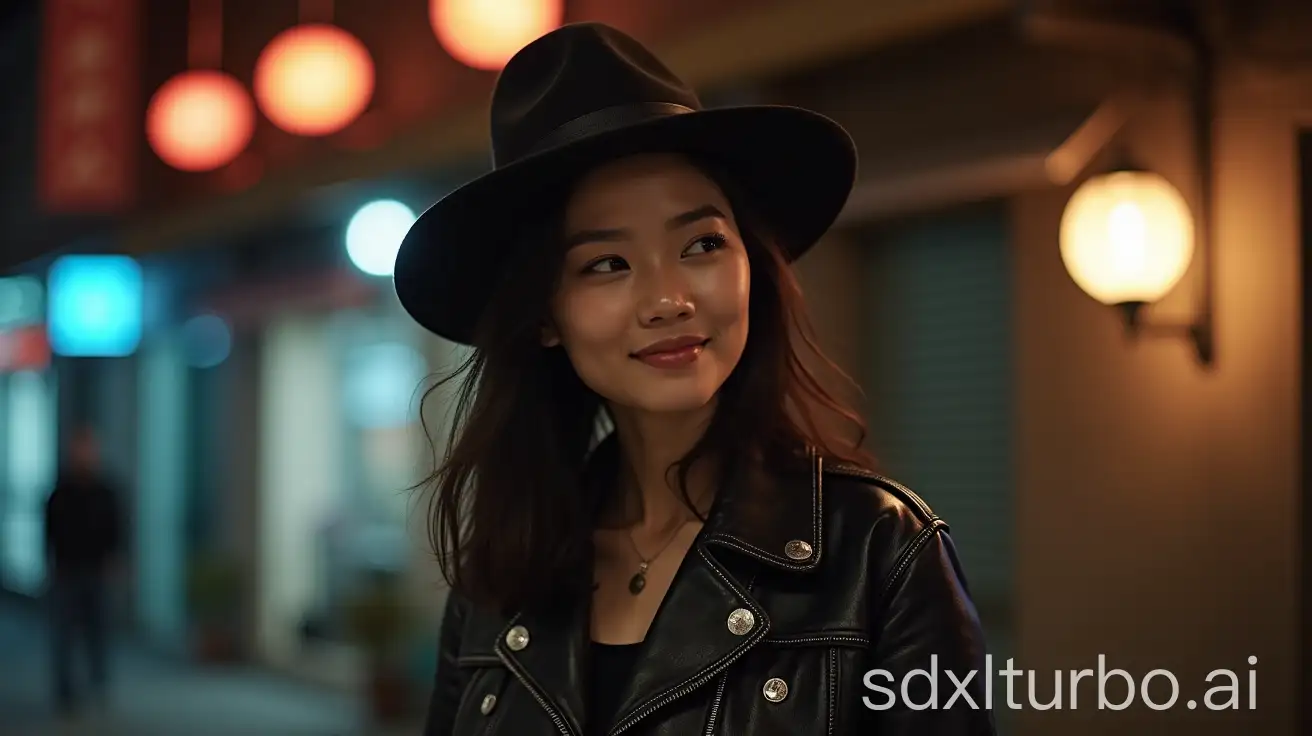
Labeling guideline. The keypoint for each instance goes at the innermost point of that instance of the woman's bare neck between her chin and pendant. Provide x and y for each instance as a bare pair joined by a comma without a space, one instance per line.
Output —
650,444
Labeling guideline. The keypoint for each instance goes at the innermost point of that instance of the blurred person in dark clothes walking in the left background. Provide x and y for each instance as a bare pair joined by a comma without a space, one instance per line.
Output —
83,545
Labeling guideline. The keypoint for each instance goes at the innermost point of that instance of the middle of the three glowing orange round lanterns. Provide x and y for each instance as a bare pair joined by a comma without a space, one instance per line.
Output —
314,79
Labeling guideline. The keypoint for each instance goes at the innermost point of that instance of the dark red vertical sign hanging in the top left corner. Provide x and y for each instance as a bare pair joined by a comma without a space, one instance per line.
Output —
90,123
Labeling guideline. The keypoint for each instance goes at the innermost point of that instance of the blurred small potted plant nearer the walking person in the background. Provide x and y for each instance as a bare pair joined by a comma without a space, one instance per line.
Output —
215,588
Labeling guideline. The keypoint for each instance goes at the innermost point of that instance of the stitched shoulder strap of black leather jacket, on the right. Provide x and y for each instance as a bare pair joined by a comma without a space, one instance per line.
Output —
852,490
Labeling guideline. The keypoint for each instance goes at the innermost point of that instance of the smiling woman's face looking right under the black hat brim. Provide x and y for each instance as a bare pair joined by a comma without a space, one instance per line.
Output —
653,305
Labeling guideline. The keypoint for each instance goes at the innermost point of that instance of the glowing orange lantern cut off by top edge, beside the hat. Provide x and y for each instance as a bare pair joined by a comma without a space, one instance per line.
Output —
483,35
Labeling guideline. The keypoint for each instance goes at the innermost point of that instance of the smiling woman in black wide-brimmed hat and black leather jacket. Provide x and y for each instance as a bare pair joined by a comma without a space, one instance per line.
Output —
717,563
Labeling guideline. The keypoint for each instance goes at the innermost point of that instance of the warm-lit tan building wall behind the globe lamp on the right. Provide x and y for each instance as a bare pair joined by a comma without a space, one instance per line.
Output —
1159,503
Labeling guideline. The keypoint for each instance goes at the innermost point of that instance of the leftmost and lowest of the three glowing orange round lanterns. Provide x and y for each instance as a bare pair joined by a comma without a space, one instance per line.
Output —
200,120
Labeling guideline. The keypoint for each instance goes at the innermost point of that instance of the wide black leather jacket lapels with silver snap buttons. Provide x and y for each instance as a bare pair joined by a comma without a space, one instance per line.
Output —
708,620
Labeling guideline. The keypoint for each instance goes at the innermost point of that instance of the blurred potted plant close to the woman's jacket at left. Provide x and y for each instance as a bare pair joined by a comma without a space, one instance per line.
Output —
379,620
